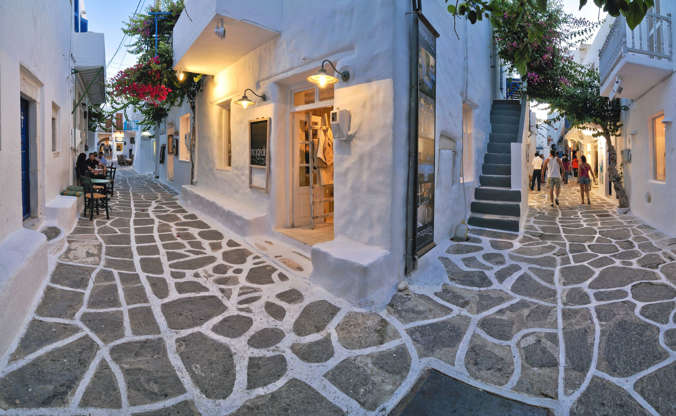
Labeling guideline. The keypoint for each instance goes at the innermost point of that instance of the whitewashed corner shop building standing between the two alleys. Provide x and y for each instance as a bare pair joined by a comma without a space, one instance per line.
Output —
327,168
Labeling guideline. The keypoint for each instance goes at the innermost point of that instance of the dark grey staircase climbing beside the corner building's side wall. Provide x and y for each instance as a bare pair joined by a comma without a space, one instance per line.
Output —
495,204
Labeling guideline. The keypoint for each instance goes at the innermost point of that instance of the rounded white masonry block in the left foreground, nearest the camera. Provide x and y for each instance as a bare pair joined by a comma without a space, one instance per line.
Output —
23,270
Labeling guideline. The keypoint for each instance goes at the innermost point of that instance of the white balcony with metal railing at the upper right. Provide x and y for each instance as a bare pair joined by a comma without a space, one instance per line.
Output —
636,59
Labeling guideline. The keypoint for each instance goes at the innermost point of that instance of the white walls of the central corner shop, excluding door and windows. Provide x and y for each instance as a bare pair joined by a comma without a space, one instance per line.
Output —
371,40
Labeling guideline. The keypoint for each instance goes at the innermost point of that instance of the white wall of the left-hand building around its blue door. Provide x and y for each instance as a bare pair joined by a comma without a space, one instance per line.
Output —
35,35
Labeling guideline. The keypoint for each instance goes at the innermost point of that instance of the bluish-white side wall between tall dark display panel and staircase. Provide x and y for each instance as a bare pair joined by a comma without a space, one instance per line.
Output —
455,87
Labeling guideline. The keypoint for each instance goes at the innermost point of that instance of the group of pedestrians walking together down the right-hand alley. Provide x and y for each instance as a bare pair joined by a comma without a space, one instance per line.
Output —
556,169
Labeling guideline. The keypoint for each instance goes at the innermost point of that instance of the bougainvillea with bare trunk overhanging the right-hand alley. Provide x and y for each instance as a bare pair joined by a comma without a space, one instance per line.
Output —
536,39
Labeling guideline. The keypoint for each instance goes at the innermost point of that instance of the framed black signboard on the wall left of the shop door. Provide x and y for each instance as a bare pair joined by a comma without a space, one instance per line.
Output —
259,158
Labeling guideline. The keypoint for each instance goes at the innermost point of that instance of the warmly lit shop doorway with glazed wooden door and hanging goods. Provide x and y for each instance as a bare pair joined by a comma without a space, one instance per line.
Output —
312,170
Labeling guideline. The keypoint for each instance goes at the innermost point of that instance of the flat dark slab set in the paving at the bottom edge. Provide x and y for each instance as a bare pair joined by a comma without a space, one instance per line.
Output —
436,394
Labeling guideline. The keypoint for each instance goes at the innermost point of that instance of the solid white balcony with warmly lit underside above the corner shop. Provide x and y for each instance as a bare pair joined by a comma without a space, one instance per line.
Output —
248,24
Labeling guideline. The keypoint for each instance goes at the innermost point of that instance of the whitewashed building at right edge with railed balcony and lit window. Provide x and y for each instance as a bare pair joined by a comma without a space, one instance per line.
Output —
638,66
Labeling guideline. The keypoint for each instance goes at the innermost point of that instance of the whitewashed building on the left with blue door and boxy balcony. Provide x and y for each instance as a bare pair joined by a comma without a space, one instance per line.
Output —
47,62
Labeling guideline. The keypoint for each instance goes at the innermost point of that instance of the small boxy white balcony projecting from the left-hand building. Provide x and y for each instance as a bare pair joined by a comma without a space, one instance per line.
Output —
89,52
